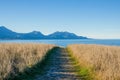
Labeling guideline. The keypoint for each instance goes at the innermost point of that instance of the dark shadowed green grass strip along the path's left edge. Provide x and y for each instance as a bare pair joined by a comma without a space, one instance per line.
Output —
37,69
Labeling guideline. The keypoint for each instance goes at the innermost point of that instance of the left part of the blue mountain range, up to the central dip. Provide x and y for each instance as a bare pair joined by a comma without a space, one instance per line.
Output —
9,34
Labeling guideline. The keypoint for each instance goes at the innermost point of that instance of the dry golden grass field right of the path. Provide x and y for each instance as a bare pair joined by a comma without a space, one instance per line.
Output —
104,61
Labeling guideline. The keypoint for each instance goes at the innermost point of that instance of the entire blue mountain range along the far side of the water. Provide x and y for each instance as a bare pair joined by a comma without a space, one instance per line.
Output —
9,34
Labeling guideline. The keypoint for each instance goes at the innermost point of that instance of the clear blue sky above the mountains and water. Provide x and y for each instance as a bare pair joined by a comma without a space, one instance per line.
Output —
91,18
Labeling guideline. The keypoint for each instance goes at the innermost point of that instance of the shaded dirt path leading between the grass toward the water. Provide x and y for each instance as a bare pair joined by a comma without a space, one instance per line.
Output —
61,67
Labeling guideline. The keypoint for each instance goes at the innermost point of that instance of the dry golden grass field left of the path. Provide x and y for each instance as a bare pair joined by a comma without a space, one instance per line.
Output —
15,58
